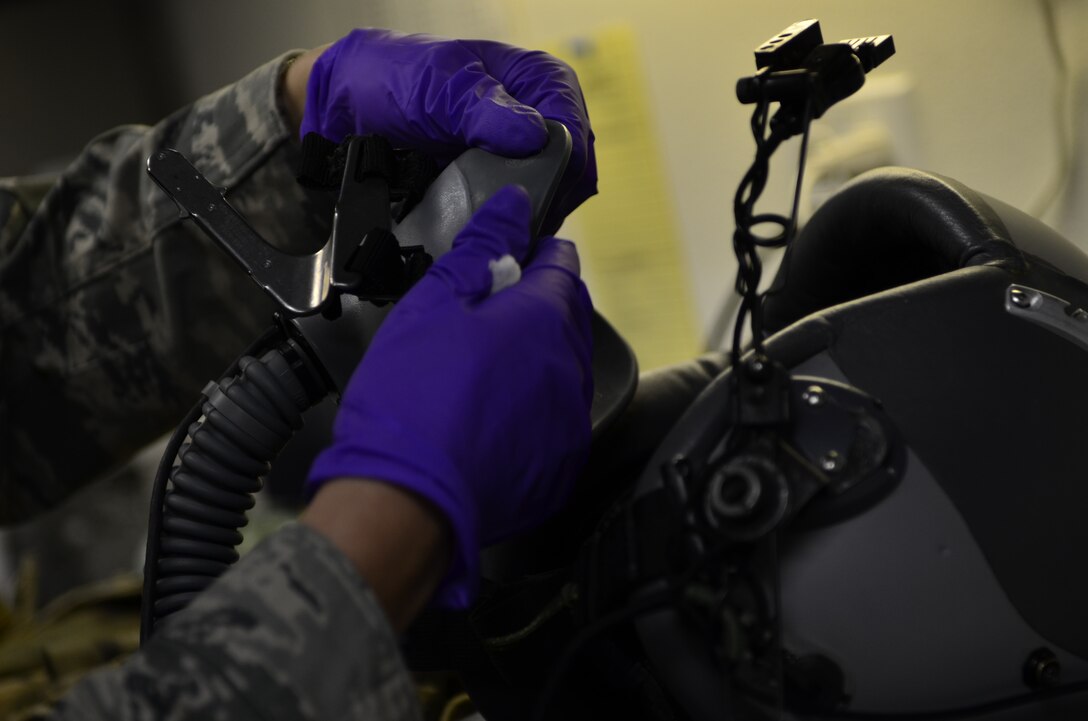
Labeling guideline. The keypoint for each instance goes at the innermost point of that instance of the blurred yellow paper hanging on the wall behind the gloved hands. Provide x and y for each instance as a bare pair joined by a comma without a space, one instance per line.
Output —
628,234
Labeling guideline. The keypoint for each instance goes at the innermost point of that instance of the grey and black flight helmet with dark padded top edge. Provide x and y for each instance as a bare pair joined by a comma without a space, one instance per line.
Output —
902,538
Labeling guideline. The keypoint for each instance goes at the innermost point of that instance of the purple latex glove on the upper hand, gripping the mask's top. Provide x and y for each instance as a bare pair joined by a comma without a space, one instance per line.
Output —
443,96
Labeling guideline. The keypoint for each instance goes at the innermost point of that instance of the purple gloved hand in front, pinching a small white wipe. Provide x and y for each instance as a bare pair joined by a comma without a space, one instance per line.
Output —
478,402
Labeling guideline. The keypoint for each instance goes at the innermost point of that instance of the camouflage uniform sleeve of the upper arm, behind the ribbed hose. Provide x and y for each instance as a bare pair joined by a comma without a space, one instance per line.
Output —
114,312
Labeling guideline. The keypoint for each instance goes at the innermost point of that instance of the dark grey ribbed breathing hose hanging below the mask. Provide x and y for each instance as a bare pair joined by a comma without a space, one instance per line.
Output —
224,450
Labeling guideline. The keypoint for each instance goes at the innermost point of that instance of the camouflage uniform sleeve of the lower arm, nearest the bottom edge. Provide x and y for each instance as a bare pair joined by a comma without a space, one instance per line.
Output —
291,632
